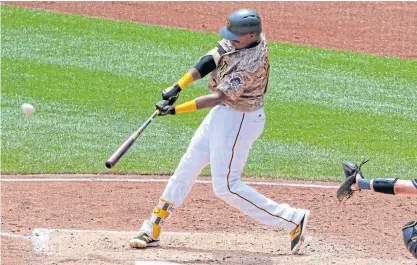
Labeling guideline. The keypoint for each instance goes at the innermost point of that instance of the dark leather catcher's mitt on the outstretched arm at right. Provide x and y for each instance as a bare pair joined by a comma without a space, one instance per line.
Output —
345,191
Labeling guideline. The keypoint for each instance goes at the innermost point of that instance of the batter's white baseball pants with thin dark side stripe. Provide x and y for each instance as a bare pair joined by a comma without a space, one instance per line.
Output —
223,140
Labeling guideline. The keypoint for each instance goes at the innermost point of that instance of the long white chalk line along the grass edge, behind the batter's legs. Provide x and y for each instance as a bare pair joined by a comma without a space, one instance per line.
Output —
298,185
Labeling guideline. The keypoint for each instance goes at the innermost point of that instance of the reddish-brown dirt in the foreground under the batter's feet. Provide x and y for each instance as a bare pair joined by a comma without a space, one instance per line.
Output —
350,233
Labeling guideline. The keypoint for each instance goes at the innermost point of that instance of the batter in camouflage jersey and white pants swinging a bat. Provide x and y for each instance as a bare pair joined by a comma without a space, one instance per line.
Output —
239,71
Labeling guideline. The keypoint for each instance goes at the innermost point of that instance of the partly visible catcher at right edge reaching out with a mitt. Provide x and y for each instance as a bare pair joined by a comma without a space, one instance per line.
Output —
355,182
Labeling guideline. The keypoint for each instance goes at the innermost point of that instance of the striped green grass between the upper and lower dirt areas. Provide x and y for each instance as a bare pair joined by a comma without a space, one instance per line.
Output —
94,81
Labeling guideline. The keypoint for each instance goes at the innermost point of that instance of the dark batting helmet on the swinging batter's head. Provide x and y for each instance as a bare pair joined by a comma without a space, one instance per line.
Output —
240,23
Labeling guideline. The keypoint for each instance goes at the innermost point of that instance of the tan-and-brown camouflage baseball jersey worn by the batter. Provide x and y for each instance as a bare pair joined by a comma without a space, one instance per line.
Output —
241,74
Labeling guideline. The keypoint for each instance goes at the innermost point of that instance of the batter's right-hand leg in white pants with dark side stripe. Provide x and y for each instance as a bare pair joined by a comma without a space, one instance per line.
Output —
228,157
